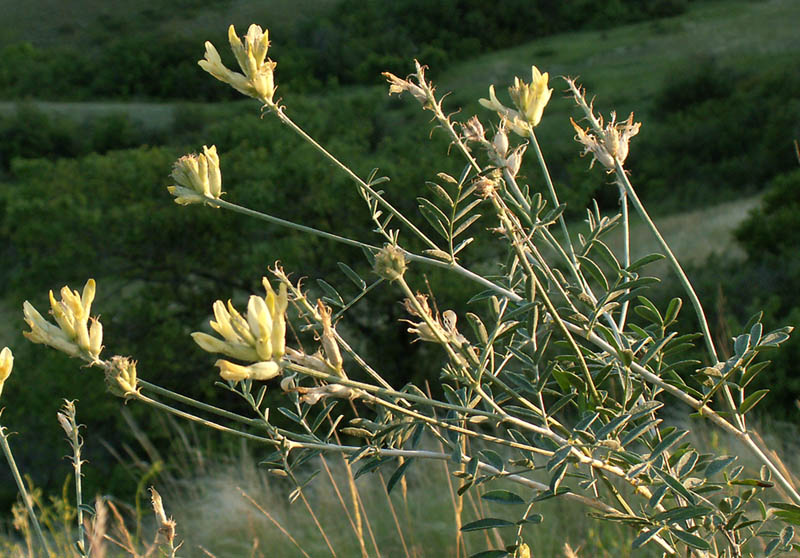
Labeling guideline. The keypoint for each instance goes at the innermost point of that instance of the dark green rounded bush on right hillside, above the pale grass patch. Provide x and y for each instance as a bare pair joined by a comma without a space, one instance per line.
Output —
717,132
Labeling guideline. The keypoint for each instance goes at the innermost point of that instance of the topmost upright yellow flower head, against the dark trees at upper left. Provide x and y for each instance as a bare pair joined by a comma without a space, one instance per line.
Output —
258,80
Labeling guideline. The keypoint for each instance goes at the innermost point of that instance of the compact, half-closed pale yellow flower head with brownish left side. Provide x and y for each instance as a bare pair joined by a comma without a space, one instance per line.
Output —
198,177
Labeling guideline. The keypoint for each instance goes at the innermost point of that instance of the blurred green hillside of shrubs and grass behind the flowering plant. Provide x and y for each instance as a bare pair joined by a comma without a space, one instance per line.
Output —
97,102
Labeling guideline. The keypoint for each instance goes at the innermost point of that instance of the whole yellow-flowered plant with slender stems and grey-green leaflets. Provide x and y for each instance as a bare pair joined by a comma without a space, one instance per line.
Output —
555,390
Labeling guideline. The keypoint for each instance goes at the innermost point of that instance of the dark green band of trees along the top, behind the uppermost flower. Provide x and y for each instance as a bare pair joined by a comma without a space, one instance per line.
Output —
353,43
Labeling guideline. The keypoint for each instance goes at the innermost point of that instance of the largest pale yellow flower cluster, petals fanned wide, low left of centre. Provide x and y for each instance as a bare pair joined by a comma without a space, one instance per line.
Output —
259,337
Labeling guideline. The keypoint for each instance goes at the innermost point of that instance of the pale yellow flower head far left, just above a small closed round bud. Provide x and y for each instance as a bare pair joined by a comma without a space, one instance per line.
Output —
73,335
